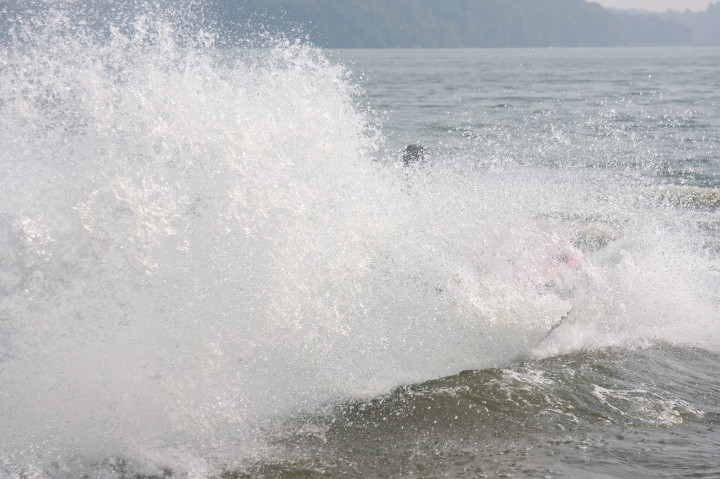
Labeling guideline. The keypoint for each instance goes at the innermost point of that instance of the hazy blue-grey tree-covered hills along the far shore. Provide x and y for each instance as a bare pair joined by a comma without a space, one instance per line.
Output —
405,23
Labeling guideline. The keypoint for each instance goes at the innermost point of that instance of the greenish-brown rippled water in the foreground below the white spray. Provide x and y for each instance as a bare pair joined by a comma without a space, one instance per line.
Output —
610,413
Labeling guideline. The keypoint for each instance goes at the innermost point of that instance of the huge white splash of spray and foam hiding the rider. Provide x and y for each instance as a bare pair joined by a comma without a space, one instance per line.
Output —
195,243
